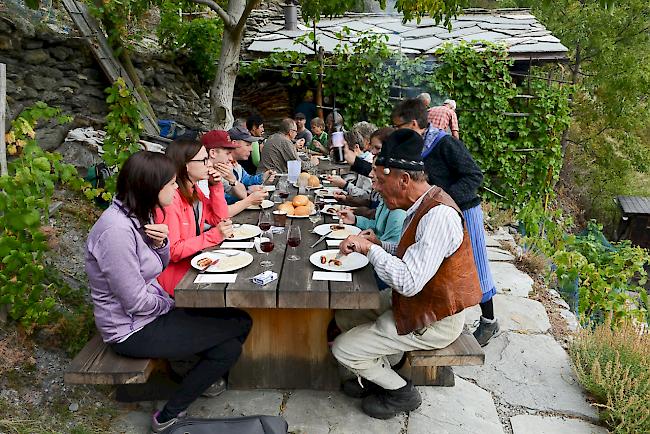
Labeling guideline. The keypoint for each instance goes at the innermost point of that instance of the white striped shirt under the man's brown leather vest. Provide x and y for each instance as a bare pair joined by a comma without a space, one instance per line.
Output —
438,235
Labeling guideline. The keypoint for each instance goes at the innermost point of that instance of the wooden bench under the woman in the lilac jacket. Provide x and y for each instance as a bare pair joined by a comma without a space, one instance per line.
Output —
97,363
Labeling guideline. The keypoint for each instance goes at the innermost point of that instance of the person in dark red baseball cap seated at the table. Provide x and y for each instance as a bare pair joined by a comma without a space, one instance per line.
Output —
220,153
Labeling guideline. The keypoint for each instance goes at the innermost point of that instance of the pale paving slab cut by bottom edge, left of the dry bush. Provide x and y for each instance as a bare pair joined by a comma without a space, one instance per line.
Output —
529,424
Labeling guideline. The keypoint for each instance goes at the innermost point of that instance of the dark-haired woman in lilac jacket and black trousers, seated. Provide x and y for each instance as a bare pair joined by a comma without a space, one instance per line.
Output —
125,254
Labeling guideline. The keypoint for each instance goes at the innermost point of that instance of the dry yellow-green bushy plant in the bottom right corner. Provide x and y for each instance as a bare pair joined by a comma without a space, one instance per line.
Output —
614,366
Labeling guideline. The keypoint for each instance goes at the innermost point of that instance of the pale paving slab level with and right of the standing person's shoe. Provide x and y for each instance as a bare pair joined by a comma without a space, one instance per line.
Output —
514,314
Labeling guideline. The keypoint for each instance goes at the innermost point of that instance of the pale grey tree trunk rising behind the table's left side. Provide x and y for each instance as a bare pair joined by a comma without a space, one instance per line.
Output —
223,86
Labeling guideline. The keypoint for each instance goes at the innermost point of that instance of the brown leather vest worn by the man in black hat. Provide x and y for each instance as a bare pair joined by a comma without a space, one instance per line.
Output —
455,285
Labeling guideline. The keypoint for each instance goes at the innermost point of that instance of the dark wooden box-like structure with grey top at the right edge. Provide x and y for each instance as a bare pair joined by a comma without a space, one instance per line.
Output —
635,222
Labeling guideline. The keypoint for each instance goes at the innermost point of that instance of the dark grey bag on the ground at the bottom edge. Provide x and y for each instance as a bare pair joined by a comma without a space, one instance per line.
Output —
235,425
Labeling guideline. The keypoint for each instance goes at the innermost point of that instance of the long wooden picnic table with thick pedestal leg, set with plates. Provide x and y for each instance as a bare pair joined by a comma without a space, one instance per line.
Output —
287,347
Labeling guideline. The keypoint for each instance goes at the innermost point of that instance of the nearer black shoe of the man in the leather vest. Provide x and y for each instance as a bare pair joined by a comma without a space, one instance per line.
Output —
389,403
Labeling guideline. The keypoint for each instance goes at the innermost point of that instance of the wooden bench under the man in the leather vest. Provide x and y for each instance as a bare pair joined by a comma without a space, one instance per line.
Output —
433,367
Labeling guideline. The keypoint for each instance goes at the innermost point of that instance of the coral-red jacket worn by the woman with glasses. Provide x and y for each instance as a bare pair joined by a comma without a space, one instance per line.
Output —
183,241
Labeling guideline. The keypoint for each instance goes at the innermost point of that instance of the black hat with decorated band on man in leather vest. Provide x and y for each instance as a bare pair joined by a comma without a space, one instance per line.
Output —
402,150
